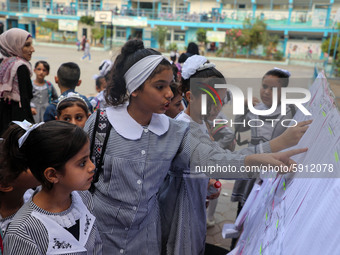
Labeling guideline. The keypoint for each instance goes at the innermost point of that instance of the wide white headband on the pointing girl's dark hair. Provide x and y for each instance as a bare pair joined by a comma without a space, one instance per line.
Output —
140,71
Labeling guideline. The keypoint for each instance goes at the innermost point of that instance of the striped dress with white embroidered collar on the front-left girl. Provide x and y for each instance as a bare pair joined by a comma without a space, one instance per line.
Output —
35,231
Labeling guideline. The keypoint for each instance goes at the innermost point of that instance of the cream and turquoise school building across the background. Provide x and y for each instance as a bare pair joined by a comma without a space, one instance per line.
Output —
301,25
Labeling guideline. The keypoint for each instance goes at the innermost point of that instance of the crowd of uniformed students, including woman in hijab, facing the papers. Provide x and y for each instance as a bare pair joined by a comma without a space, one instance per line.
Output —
140,195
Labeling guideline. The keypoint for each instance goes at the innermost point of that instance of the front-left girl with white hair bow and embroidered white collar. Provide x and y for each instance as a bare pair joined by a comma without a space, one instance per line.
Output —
55,220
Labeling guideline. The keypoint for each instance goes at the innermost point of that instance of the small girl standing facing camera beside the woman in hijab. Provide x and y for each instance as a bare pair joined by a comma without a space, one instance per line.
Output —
43,91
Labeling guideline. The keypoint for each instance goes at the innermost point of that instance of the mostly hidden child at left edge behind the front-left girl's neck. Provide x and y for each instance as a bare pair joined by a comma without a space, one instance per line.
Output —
15,181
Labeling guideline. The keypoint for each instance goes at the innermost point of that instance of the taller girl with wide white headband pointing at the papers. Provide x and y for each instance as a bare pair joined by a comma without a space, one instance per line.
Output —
133,157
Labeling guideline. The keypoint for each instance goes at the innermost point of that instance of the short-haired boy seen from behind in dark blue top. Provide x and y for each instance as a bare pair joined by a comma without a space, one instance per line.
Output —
67,79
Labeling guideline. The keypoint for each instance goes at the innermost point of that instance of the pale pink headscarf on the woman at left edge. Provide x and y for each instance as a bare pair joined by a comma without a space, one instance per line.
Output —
12,41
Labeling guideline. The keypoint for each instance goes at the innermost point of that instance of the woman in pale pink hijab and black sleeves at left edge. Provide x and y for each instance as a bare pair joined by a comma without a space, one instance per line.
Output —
15,77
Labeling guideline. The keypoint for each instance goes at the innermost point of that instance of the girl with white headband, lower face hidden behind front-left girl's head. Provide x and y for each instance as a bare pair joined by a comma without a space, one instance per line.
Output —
73,108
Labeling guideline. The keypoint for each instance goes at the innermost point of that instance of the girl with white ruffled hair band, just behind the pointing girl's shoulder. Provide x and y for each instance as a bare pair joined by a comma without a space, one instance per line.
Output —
189,217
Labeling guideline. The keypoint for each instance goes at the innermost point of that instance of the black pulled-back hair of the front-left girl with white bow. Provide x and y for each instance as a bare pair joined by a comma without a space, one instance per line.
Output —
49,145
